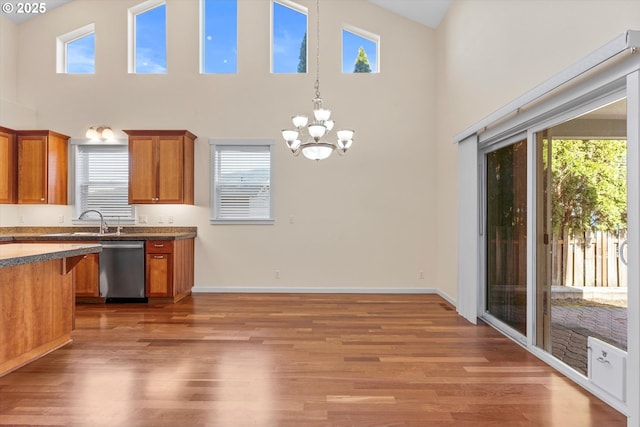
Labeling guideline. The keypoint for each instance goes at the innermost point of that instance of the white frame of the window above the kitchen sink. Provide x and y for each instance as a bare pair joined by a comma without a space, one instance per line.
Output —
73,182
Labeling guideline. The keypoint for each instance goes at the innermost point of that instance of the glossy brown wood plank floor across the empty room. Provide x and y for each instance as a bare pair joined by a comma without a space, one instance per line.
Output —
292,360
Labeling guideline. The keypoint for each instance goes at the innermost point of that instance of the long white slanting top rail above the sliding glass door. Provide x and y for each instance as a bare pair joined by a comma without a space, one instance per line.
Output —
628,40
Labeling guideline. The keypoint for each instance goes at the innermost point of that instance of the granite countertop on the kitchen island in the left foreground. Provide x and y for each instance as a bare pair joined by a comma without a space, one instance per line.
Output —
27,253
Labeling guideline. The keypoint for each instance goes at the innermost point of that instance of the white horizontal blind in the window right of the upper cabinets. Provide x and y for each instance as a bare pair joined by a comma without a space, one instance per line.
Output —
241,189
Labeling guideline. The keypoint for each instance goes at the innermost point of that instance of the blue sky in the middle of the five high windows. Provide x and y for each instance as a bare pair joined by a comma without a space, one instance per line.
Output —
220,36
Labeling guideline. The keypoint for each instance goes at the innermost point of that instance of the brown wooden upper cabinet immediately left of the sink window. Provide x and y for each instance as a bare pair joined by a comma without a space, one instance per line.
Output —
42,167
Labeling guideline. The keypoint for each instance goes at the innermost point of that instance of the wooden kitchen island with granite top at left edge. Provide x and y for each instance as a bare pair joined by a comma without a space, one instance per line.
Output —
36,299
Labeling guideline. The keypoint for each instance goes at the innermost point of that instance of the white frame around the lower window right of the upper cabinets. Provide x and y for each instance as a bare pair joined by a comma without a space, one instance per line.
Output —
224,142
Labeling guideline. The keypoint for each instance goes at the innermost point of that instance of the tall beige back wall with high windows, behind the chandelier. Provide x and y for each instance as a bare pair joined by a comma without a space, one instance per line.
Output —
366,220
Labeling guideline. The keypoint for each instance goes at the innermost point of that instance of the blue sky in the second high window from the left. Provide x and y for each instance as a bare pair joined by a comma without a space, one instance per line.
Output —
151,41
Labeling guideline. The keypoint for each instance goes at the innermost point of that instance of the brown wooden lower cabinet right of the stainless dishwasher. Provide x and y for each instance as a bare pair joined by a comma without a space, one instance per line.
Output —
169,269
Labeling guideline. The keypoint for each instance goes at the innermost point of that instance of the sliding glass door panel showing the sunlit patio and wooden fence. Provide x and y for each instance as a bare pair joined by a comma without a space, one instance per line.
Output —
581,228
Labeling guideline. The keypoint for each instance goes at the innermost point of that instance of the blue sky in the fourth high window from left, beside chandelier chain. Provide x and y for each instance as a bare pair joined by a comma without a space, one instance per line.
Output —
289,28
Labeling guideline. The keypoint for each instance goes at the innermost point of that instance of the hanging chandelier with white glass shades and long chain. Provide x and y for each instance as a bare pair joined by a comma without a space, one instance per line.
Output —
308,137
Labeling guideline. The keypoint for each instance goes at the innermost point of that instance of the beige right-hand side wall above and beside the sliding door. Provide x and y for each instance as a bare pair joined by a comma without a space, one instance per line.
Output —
492,51
